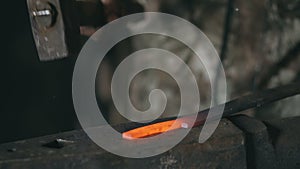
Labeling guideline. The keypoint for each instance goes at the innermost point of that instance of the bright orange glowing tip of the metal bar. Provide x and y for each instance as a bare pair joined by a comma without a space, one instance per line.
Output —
151,130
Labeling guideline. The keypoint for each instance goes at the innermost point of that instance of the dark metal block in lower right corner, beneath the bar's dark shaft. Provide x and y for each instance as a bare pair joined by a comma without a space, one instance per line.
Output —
271,144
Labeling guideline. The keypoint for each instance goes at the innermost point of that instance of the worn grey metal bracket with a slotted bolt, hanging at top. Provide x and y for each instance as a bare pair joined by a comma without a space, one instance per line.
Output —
54,27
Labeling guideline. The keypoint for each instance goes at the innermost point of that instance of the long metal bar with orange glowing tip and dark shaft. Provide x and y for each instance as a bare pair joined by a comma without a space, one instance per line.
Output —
232,107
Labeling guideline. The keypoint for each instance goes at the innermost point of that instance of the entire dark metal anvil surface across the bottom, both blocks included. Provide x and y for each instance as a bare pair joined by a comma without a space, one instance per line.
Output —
243,143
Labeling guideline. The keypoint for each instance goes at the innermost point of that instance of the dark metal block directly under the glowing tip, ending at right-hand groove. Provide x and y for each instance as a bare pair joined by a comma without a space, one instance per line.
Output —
225,149
